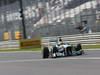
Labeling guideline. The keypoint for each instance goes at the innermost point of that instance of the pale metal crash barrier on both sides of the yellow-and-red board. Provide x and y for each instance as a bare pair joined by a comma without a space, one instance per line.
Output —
85,39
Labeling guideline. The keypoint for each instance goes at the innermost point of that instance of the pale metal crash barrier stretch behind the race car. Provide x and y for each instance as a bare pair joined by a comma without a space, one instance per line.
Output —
93,38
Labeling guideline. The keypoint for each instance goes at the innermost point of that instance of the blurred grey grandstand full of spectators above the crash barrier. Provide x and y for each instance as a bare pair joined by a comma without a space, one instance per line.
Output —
44,18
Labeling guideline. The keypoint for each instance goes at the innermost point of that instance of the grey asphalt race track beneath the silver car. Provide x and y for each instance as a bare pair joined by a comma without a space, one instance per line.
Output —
31,63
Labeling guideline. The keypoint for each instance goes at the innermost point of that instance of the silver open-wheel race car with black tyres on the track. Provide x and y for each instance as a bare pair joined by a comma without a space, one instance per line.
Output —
62,50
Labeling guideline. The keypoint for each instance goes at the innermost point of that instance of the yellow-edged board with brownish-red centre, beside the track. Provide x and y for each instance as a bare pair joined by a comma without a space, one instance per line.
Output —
34,43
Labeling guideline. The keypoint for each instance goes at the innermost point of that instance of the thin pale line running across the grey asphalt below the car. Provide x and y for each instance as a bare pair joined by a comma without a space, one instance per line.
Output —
36,60
